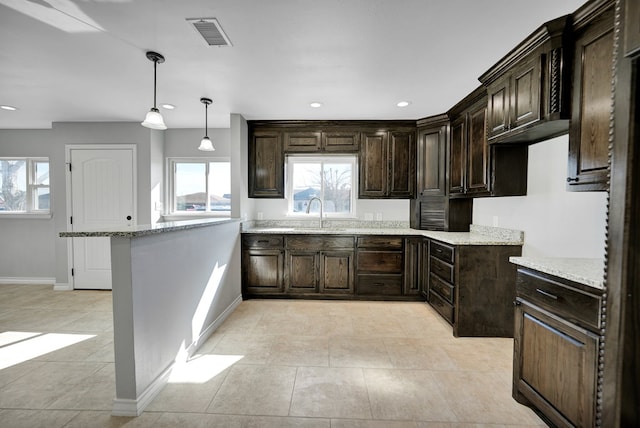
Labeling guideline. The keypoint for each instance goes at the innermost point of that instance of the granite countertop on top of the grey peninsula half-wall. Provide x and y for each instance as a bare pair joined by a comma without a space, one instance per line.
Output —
144,230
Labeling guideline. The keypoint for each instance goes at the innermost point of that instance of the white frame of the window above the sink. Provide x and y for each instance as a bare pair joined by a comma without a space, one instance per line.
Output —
292,159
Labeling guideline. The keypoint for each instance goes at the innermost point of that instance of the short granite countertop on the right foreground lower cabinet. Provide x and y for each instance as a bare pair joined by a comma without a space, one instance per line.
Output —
589,272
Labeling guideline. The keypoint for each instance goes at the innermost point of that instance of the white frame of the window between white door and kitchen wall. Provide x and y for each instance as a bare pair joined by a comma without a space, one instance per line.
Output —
170,211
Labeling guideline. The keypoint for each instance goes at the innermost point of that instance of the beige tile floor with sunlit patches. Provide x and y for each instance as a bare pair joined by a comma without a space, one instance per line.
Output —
329,364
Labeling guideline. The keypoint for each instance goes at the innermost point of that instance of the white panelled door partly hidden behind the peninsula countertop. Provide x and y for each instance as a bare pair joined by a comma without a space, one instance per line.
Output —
102,196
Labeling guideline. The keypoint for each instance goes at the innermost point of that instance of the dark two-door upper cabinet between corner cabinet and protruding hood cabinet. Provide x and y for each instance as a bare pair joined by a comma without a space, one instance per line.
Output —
476,168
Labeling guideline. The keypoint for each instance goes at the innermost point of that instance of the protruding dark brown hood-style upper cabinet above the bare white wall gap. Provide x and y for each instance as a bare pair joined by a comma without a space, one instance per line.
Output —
528,89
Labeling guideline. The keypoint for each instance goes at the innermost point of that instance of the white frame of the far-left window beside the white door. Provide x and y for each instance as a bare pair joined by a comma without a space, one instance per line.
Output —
31,188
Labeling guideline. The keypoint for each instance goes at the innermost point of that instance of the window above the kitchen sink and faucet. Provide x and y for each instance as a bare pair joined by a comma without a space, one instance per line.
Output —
330,178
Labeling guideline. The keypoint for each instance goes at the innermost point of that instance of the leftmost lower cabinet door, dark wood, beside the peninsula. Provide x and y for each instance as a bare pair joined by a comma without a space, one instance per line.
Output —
263,271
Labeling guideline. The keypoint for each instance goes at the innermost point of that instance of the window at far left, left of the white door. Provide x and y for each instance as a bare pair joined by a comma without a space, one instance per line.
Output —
24,186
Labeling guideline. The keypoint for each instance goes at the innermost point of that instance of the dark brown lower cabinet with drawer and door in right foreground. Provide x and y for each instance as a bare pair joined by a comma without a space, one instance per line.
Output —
556,349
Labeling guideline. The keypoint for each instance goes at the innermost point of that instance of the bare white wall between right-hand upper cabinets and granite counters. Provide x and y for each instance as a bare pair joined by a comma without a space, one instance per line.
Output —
556,223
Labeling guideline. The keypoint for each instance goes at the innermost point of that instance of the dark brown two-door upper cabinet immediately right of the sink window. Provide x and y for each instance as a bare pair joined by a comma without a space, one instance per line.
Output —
387,164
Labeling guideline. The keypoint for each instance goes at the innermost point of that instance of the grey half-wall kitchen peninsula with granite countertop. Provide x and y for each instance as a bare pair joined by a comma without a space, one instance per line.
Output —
171,289
